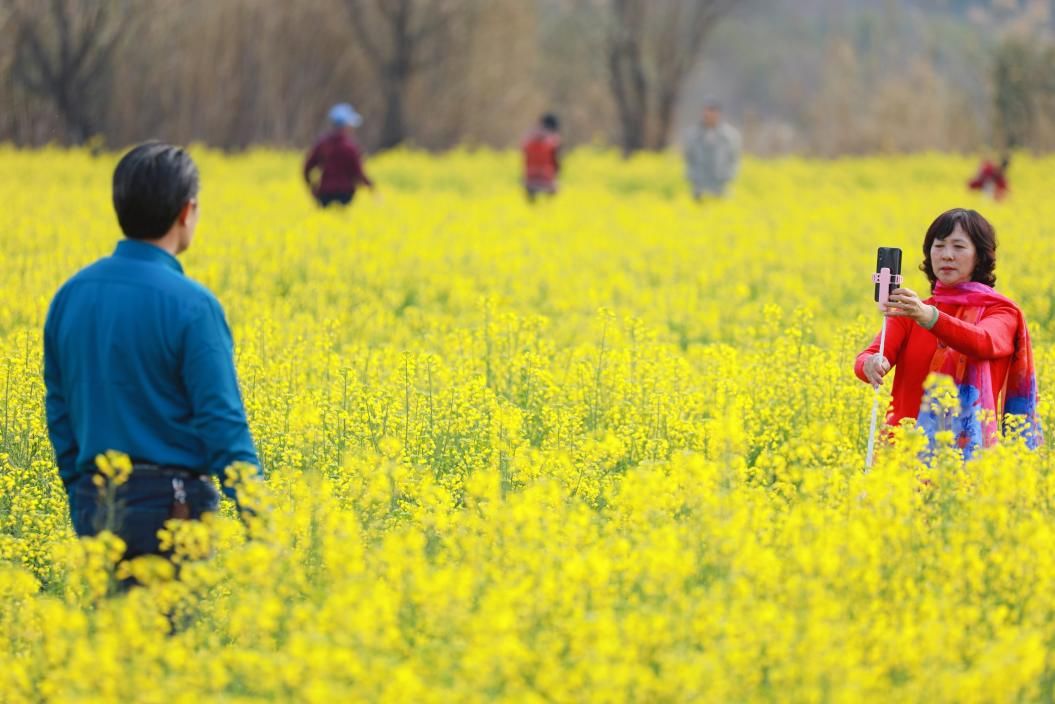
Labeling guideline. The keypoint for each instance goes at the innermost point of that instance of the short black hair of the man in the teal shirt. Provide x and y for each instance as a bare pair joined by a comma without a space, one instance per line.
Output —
152,184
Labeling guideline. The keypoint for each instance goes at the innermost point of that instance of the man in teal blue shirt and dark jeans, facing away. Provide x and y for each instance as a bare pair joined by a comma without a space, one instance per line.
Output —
140,359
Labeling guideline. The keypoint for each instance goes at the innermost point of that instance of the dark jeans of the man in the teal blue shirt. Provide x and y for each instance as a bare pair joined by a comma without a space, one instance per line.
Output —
143,506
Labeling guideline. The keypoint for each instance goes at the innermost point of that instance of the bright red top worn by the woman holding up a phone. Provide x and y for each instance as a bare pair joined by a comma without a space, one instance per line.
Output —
911,348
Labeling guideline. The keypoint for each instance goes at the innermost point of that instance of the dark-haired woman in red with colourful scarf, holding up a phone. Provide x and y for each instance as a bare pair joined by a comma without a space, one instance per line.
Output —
966,331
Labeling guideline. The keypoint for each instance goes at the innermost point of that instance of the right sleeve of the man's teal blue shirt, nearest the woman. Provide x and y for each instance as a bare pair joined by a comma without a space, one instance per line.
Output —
219,415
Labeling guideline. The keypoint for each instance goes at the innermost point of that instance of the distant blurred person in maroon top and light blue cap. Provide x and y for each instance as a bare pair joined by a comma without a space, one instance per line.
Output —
339,160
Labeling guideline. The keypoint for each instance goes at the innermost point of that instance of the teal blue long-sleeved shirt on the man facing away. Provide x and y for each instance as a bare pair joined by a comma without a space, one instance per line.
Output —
139,358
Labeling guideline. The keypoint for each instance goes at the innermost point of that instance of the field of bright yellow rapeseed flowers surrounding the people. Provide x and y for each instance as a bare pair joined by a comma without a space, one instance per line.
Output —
608,449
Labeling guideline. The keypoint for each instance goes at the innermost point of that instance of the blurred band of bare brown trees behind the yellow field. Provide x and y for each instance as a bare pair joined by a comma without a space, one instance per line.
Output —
815,77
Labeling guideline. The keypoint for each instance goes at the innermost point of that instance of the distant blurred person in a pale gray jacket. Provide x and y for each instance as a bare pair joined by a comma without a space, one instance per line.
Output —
712,154
